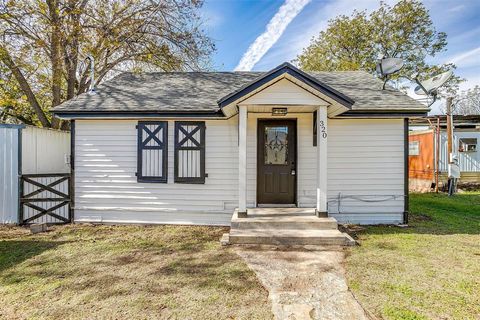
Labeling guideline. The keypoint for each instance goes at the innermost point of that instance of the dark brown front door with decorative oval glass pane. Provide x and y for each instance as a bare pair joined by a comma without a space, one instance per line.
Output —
276,161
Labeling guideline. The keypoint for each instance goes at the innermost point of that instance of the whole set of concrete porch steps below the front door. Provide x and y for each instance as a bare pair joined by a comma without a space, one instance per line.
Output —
285,226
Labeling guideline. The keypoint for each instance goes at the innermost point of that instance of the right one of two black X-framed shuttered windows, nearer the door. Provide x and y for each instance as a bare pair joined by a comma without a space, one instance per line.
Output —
190,152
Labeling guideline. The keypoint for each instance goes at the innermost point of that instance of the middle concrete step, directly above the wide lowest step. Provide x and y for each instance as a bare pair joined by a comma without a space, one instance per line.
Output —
285,222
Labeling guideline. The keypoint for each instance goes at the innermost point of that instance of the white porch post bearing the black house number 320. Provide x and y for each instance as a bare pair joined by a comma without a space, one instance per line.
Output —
321,208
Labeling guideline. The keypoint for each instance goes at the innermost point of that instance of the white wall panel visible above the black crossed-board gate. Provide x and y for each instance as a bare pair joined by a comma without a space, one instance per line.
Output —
45,151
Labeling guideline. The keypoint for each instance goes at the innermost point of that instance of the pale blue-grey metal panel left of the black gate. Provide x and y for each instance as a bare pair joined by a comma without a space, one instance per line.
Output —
9,174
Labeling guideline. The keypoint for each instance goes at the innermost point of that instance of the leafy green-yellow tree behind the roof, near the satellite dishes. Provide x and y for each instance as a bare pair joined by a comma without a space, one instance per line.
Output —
356,42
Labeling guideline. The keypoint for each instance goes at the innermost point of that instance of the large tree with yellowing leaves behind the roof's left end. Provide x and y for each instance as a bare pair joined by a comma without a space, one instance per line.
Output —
44,45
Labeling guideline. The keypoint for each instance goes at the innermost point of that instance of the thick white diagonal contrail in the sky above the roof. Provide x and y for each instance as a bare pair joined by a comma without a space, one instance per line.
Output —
274,30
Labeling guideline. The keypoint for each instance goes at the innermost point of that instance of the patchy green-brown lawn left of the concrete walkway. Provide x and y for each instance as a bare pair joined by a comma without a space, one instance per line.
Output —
125,272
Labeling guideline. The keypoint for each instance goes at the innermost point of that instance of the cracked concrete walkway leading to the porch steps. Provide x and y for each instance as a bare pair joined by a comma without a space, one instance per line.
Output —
304,282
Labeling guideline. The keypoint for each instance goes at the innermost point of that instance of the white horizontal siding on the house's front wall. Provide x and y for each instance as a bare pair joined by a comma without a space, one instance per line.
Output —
365,160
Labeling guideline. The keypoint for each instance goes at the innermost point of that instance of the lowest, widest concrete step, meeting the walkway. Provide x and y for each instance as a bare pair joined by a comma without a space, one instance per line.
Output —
289,237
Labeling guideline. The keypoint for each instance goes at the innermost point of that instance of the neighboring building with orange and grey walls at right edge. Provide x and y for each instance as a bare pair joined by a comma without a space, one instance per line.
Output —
423,153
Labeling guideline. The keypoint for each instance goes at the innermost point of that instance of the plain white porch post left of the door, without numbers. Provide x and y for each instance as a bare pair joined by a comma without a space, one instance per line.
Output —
242,160
